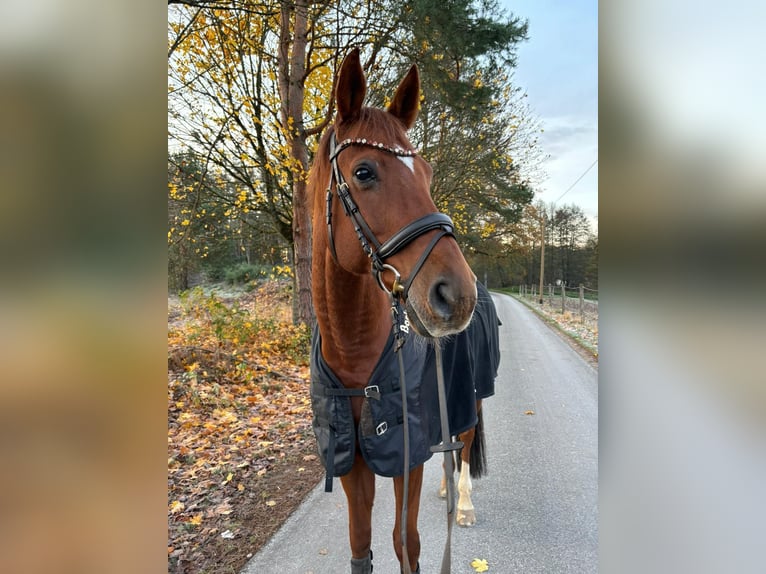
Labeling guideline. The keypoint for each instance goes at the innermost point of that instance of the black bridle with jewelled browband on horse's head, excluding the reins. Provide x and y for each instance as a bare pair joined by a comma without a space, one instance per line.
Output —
376,251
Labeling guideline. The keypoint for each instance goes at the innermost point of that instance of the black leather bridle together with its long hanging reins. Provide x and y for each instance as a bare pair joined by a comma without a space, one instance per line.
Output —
378,253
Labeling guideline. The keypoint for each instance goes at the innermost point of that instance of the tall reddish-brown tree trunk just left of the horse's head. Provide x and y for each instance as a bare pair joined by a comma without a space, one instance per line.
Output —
292,66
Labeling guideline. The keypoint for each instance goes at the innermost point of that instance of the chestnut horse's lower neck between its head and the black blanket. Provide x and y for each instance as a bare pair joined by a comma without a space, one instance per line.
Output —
354,320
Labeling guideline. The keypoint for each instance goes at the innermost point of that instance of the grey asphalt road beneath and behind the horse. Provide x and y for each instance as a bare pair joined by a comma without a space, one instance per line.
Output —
537,510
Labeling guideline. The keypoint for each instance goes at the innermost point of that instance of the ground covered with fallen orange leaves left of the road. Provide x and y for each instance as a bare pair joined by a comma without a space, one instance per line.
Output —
238,420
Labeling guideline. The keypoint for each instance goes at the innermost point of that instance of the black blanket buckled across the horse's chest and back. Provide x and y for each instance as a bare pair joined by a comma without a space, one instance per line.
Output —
470,360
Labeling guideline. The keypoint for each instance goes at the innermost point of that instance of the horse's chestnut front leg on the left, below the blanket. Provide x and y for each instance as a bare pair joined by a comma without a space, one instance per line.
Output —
359,486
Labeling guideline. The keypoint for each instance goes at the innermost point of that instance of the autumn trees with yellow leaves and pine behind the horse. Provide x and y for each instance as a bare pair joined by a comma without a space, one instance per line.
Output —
249,94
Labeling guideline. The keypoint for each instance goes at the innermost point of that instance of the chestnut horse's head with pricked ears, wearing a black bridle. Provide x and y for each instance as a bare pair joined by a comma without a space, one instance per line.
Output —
382,186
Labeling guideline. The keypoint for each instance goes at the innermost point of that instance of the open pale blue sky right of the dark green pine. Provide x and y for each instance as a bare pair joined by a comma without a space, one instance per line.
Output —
558,68
